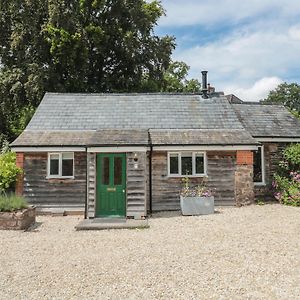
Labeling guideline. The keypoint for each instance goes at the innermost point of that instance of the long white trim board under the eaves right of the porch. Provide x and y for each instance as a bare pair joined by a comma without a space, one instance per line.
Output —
203,148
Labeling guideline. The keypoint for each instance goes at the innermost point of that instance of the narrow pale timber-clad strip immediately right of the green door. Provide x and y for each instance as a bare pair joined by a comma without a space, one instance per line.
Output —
136,185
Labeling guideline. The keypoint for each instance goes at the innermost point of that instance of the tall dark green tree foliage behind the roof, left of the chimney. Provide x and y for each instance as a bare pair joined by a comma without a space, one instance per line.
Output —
81,46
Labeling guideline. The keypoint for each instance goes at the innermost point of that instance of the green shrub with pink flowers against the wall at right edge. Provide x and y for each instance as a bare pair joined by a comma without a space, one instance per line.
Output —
287,180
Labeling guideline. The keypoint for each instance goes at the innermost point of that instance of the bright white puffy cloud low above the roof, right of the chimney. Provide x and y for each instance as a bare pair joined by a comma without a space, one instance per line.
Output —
258,91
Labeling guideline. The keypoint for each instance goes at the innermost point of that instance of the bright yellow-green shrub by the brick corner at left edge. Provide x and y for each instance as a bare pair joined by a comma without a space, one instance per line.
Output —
8,170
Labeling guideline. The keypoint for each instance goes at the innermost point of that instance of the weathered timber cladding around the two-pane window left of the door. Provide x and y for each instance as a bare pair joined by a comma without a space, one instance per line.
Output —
52,193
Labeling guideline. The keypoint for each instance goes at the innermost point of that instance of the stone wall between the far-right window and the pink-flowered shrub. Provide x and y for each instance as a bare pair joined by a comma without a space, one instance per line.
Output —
273,155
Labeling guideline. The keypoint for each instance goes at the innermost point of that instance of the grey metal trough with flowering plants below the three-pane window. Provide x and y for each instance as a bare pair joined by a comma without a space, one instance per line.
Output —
198,200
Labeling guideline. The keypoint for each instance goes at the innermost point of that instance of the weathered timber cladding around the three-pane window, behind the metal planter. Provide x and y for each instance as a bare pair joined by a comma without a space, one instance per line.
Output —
220,170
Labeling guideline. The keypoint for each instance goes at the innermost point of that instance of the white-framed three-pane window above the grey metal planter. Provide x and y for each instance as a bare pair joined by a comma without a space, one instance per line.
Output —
186,164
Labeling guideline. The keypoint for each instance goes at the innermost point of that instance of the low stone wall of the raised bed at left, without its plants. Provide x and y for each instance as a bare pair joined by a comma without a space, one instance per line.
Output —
17,220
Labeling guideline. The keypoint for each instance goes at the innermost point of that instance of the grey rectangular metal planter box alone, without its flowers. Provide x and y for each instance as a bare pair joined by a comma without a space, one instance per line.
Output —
193,206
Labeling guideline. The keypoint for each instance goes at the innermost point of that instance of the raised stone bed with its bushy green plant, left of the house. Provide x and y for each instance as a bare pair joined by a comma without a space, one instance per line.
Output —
15,213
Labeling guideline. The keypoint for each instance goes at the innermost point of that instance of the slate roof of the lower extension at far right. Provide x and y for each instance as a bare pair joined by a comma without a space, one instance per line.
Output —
267,120
